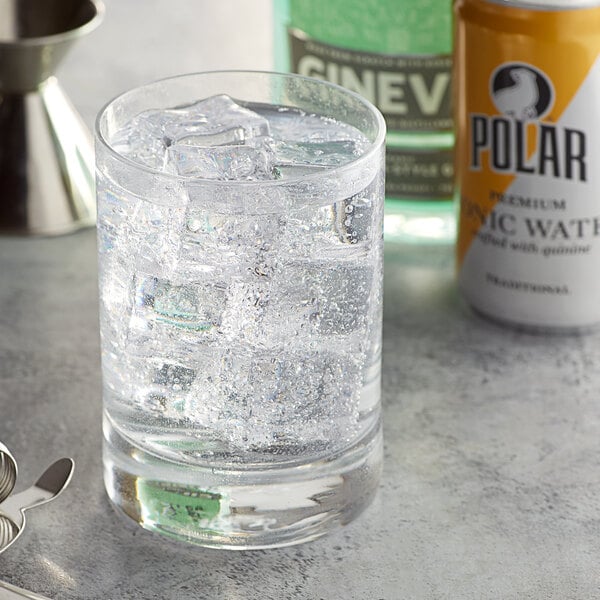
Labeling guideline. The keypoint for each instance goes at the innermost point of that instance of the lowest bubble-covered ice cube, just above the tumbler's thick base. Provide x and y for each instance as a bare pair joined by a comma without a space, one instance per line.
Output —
274,401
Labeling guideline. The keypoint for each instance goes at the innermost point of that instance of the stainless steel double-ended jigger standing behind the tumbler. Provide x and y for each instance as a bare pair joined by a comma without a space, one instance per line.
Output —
46,150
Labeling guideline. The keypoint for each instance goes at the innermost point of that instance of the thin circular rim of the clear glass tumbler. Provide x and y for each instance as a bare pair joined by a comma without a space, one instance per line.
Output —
331,171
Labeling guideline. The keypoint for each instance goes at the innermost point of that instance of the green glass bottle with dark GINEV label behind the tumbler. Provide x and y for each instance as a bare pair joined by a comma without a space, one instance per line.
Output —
396,53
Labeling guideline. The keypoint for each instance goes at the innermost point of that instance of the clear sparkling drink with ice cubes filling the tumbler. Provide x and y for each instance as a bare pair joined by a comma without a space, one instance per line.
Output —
240,316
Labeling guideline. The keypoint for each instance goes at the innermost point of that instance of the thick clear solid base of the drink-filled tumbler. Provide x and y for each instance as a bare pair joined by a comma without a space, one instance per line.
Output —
241,508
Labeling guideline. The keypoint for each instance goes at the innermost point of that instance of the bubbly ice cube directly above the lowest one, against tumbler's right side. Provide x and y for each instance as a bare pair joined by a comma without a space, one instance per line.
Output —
302,304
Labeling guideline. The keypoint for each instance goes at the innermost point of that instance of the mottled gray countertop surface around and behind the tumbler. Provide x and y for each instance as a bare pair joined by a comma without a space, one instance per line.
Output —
491,486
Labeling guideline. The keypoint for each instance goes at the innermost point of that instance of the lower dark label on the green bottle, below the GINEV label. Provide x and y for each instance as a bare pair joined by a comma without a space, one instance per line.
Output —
419,174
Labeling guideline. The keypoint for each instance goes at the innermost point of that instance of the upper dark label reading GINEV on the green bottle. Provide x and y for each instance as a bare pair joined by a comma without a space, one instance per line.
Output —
412,91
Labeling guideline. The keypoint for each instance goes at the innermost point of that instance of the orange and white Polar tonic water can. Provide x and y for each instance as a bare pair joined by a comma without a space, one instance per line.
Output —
527,98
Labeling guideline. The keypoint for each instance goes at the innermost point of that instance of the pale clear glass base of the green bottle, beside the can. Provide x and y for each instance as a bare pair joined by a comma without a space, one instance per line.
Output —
414,221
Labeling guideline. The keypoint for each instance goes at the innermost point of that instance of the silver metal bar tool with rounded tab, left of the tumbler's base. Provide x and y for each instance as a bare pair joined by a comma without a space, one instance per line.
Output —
46,488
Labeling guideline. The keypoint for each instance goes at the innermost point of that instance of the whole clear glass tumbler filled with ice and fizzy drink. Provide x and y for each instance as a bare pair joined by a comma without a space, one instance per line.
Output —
240,256
